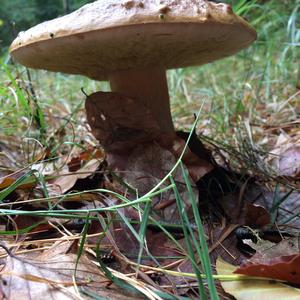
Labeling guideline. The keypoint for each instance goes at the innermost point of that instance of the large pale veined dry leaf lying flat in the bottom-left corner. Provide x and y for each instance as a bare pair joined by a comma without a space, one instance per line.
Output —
51,277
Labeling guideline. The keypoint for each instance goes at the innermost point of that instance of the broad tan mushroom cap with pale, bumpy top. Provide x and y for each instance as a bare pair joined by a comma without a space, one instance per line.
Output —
111,35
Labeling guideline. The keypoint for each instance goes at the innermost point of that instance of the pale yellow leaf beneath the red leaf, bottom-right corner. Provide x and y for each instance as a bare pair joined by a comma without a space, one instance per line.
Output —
254,289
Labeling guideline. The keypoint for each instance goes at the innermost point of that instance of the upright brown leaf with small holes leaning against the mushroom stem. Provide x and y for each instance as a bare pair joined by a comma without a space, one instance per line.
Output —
119,128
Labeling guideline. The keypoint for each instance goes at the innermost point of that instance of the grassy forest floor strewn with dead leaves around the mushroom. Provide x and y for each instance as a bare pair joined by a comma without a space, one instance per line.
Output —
61,209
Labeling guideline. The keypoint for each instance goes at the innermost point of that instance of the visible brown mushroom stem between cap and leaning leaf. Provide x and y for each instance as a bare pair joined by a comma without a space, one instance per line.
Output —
149,87
